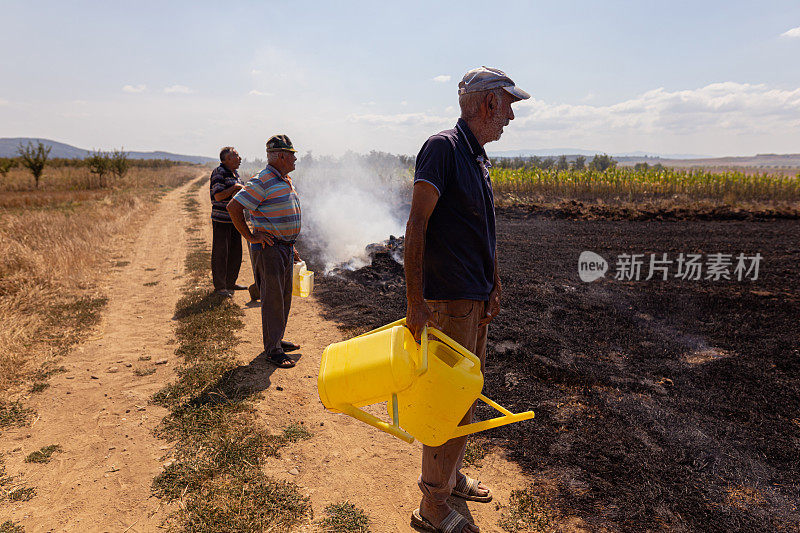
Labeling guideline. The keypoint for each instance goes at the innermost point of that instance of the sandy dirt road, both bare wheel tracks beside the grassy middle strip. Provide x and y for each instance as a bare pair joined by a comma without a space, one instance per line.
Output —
98,411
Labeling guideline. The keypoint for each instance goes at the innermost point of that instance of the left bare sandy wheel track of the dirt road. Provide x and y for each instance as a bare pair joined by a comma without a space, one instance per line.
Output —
99,410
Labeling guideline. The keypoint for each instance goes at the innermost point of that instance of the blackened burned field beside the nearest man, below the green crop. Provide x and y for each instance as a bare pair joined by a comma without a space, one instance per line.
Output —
669,405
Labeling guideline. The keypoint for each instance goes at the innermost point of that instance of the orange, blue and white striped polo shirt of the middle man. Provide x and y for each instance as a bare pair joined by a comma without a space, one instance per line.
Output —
273,204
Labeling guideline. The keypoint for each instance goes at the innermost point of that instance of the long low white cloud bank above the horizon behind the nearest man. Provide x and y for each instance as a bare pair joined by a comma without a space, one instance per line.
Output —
717,118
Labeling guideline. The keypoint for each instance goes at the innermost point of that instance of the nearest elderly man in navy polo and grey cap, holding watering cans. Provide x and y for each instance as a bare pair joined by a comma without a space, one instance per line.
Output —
451,265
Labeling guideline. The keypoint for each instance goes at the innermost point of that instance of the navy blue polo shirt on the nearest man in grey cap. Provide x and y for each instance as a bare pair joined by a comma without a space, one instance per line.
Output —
458,261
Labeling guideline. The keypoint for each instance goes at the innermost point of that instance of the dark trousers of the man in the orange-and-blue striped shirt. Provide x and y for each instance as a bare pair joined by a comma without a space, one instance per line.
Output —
273,267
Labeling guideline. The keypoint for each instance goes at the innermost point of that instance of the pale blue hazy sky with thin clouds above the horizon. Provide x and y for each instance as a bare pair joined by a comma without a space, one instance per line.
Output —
710,78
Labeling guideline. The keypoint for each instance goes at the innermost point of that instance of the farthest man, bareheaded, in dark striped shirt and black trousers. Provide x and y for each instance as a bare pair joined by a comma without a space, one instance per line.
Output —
226,243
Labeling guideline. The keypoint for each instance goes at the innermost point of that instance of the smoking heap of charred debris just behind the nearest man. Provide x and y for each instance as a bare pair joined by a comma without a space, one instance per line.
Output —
385,270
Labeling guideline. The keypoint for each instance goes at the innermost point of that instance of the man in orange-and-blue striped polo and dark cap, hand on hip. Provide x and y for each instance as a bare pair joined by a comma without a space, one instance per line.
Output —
271,200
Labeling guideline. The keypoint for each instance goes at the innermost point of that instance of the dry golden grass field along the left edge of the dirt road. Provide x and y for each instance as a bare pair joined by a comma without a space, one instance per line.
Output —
54,244
